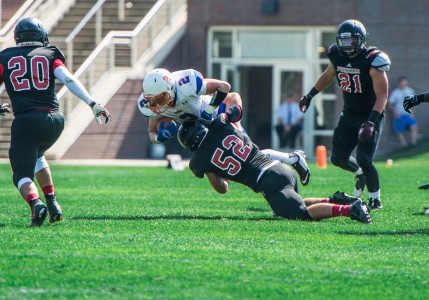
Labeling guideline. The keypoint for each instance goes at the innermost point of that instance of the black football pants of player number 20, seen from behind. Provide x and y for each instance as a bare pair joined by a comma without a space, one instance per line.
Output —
33,132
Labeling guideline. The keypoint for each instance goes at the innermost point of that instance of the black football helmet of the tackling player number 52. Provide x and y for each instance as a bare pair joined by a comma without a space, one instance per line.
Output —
191,134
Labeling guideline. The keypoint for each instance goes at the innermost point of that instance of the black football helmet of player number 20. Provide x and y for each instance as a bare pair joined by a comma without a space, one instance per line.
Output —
30,30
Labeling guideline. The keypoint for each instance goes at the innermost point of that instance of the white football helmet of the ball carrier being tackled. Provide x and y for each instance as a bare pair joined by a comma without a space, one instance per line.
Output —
159,89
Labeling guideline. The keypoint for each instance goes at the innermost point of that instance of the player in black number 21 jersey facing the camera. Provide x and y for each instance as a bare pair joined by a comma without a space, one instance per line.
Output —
361,74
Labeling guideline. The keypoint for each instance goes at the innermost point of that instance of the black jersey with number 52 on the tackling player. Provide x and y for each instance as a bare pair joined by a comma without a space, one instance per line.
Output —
230,154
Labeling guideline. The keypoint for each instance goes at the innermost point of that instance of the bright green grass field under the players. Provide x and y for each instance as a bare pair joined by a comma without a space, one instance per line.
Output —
153,233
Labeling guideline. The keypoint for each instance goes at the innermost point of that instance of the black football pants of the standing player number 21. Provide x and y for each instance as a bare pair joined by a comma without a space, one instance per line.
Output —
346,139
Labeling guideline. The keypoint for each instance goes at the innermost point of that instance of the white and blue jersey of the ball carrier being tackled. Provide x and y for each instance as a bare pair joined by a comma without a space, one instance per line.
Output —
189,102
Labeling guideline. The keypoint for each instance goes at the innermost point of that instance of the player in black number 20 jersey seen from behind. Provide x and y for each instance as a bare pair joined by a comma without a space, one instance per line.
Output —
28,72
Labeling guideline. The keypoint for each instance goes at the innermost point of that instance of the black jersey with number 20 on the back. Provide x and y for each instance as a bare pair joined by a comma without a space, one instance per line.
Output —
28,74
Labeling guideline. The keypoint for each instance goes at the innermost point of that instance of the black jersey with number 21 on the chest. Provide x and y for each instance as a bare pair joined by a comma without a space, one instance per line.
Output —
353,77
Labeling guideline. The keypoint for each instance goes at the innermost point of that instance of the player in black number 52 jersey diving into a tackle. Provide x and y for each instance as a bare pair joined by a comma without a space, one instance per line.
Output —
222,152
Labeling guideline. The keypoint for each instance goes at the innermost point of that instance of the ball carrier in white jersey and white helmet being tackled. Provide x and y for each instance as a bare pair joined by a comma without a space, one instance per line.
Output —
186,95
